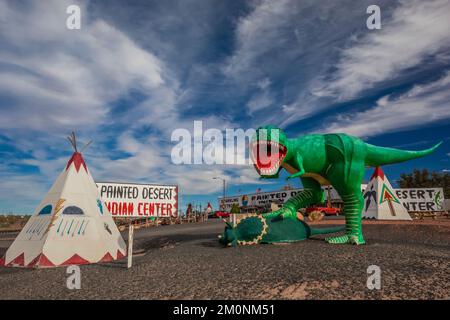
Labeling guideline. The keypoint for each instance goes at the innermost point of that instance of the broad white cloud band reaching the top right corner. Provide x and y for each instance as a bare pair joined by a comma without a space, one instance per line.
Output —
416,30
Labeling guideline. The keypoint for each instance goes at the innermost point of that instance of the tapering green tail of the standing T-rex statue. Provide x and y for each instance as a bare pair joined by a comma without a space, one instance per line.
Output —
378,156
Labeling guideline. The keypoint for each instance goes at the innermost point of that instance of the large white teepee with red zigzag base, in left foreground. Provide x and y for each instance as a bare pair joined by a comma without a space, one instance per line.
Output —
70,226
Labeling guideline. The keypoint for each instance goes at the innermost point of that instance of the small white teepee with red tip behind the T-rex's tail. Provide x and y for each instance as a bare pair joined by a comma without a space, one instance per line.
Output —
380,200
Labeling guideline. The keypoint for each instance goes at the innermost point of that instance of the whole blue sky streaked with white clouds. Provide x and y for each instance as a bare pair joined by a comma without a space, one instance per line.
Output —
137,70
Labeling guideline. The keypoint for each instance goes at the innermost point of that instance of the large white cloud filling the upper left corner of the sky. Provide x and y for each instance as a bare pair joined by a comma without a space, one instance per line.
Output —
62,78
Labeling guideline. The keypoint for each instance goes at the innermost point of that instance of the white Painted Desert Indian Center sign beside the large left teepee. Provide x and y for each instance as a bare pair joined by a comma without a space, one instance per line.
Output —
139,200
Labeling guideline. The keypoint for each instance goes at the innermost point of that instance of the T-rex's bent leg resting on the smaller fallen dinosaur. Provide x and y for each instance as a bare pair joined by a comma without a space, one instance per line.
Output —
312,193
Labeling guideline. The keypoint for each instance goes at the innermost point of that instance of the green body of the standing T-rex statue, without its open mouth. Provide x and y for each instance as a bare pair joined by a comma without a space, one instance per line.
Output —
336,159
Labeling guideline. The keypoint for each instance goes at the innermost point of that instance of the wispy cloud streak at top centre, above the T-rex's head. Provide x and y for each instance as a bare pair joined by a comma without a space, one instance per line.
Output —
264,30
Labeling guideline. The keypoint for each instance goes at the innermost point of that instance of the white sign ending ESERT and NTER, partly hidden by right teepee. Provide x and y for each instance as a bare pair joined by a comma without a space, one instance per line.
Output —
422,199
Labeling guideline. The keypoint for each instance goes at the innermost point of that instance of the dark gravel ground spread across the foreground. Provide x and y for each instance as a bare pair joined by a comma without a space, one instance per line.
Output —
187,262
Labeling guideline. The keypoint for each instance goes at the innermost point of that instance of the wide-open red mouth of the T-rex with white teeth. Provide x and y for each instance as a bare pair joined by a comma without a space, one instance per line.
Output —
267,156
